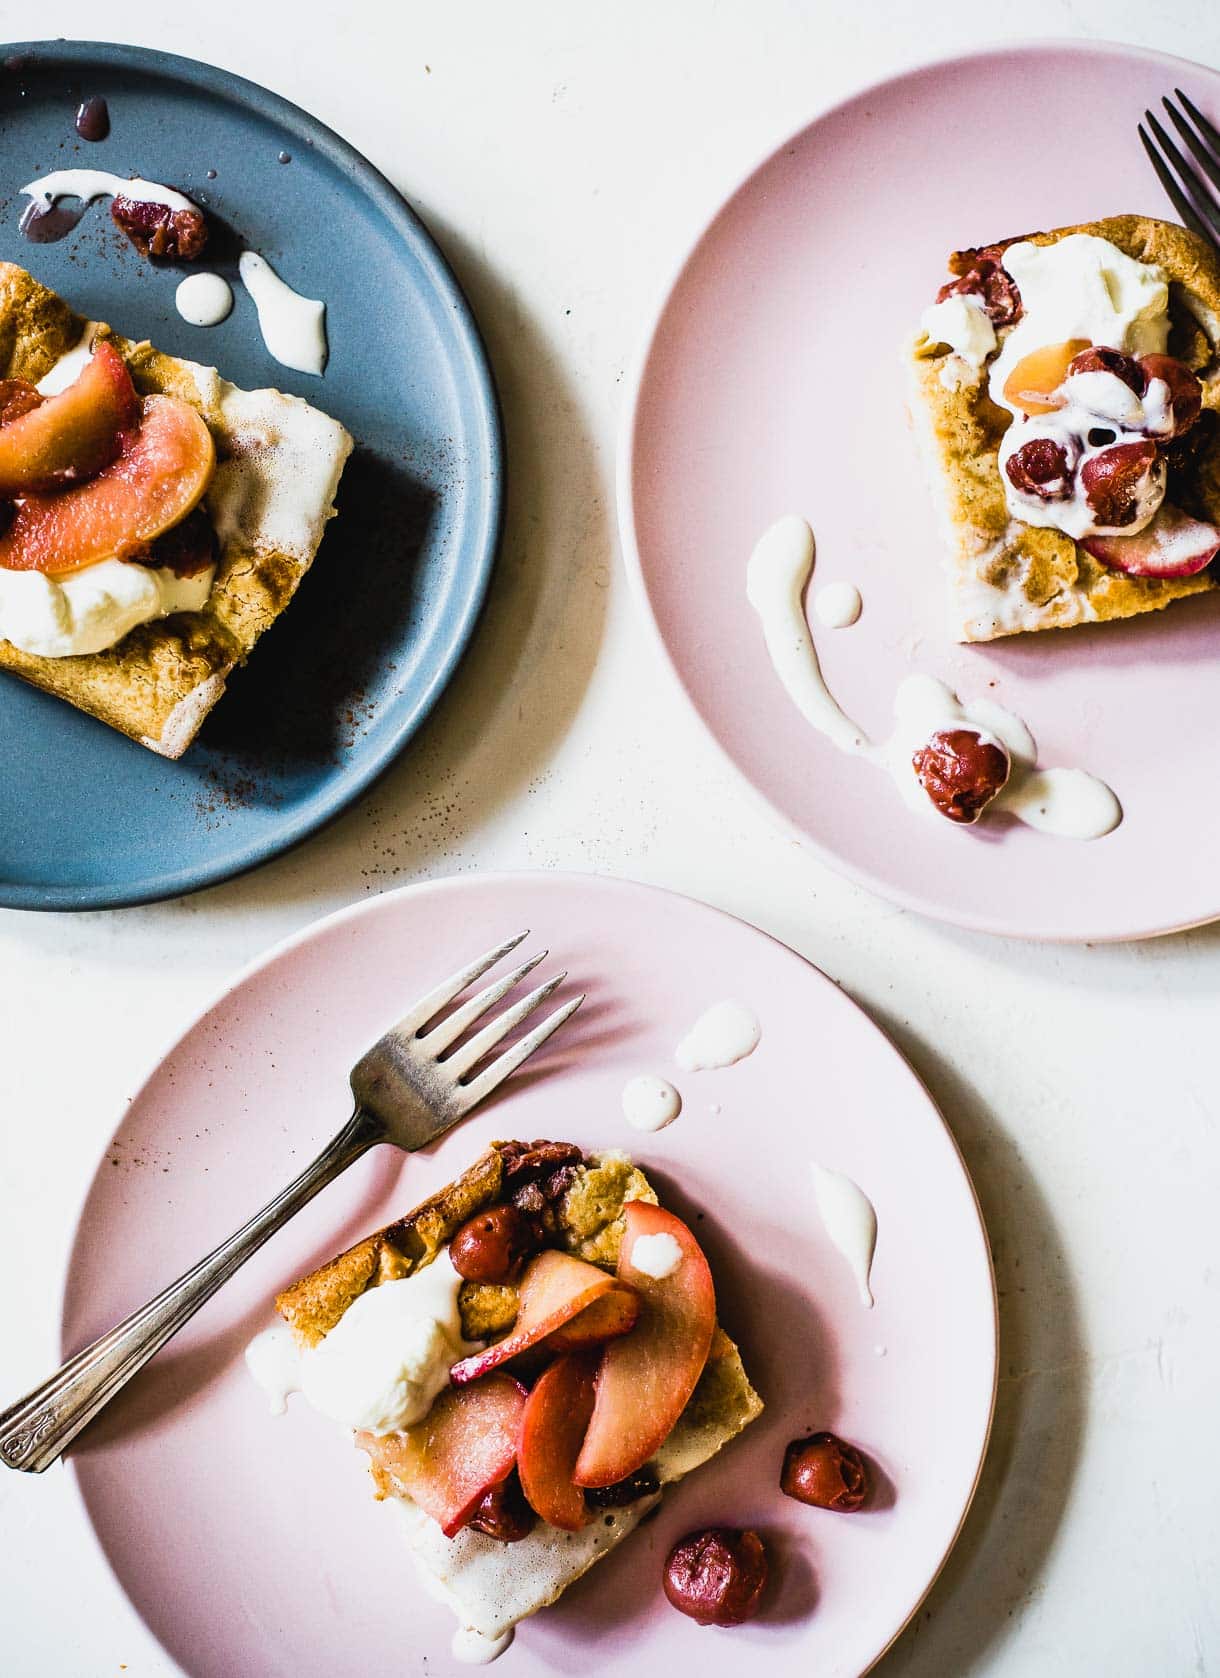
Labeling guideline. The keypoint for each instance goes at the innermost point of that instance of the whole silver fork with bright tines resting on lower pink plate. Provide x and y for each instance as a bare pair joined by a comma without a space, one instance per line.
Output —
405,1095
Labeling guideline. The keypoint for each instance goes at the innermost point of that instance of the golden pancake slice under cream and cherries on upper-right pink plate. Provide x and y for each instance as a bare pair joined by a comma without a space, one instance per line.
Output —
1006,576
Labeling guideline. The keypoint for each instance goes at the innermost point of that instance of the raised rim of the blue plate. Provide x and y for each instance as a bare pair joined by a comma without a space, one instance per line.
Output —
486,479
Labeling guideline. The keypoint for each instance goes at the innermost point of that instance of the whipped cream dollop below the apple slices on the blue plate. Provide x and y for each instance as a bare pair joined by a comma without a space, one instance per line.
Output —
85,612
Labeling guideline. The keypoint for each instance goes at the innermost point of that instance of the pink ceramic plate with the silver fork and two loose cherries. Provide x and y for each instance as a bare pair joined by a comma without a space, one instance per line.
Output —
251,1545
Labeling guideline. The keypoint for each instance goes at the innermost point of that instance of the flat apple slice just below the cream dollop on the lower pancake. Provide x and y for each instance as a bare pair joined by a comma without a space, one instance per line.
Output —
464,1447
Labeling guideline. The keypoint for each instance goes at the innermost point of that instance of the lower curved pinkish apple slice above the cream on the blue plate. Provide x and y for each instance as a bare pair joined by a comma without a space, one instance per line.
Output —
160,476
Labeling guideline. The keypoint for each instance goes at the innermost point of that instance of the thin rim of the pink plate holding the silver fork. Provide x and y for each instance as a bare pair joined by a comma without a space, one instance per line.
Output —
459,883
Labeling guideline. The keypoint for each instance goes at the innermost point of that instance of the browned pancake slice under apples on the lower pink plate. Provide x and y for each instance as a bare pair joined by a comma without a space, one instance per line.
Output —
489,1585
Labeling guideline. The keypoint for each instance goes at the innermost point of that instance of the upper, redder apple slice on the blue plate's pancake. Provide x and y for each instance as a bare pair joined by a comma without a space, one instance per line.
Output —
71,435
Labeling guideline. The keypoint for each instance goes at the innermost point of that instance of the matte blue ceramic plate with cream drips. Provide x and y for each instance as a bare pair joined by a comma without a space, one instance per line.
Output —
88,820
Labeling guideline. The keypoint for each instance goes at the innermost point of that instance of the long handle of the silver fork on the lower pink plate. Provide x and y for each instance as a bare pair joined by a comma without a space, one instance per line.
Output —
38,1427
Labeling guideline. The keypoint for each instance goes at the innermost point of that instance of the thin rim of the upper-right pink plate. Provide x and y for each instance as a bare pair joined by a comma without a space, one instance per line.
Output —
627,509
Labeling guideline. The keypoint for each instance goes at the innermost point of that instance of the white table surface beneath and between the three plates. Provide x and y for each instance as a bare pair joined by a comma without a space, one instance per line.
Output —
565,155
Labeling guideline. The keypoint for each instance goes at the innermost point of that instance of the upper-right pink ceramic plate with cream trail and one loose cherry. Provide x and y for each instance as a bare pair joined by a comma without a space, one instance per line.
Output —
773,385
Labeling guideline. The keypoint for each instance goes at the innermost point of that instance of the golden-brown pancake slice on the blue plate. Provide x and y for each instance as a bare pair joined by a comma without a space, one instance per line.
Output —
273,494
